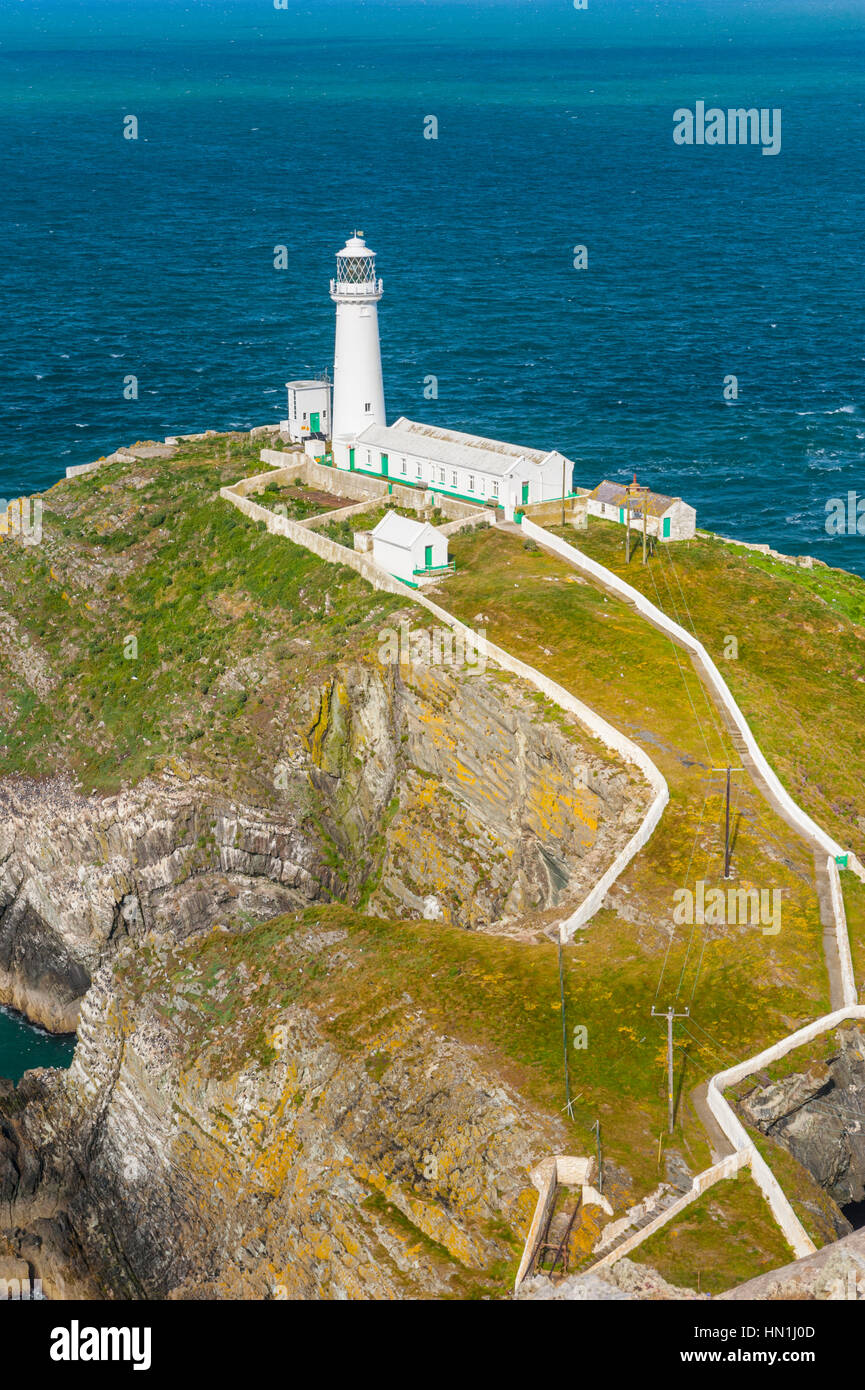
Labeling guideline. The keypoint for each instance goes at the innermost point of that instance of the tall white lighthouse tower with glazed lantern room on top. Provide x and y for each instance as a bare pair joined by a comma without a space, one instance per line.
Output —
358,386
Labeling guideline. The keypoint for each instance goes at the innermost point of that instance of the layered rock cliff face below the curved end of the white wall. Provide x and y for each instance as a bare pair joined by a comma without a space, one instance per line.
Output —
432,796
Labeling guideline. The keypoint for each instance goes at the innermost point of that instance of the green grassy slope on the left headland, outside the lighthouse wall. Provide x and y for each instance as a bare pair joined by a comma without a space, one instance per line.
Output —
230,623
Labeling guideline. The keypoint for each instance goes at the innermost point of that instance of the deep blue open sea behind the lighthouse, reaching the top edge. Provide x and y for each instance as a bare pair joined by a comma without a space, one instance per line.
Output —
264,127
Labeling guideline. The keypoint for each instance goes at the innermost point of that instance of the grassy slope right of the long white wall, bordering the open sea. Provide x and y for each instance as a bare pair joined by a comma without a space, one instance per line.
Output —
800,671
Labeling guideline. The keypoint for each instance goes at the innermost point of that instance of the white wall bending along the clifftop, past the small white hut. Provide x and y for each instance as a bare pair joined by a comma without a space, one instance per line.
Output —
611,737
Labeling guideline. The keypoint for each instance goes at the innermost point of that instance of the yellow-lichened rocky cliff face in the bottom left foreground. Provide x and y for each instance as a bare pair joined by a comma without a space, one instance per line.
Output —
225,1134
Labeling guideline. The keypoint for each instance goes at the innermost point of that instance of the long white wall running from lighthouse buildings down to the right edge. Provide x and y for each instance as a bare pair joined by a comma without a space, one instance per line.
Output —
721,689
